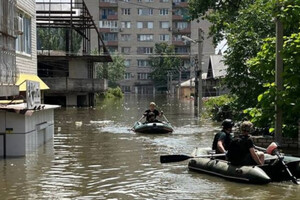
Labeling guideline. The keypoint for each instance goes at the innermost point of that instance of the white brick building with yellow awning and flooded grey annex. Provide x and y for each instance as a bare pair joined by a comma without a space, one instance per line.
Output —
24,124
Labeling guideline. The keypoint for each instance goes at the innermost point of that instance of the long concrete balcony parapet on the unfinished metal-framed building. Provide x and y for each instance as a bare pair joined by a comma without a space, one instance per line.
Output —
65,84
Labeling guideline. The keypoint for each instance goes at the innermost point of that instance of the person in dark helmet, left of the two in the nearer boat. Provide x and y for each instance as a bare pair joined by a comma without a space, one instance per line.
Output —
223,138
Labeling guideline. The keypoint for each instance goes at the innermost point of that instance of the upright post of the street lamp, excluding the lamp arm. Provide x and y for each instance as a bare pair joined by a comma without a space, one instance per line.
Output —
199,72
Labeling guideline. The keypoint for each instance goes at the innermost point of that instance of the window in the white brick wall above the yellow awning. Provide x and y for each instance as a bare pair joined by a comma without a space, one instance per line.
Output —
23,42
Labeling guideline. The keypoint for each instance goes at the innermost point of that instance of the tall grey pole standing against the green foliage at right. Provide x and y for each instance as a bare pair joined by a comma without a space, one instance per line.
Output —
278,80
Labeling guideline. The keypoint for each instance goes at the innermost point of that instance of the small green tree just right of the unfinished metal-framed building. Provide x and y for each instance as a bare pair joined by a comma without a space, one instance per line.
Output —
115,70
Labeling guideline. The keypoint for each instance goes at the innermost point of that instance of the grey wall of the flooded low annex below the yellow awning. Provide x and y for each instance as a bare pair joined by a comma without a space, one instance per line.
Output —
28,133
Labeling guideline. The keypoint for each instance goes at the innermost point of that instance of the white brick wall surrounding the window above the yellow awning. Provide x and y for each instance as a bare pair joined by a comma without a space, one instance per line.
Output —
28,63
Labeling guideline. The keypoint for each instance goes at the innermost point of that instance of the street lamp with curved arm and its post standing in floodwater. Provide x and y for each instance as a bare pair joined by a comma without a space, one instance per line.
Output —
198,72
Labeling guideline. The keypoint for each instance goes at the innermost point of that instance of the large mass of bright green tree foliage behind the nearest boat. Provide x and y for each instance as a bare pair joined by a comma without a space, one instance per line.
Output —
249,28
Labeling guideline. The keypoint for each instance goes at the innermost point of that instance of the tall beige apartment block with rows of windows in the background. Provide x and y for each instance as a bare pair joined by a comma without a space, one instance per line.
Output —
132,27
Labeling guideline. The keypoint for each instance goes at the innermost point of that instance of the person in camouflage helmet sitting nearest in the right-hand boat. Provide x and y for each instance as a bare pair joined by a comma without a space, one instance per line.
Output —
241,150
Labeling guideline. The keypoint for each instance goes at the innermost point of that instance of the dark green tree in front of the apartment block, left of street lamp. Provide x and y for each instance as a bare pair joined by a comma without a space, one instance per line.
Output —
163,62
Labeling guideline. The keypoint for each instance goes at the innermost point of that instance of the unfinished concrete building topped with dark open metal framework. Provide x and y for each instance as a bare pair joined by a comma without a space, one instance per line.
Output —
69,45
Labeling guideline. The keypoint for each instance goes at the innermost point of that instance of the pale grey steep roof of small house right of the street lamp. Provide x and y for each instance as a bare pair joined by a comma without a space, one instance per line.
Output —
216,67
